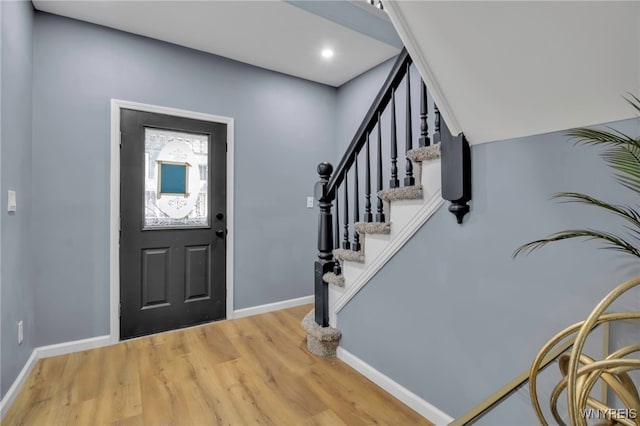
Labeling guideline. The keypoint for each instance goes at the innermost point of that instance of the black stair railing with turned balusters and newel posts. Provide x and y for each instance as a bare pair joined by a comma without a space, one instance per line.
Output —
332,181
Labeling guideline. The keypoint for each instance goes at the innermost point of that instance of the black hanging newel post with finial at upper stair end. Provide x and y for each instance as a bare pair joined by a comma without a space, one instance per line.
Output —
455,155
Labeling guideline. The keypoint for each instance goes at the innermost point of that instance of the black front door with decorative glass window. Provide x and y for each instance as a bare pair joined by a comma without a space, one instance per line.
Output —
173,222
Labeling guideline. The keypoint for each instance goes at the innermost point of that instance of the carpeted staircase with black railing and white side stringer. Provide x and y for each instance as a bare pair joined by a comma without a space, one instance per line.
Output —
437,169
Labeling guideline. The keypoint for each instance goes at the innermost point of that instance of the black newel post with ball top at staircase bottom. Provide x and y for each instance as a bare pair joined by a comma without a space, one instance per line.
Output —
324,263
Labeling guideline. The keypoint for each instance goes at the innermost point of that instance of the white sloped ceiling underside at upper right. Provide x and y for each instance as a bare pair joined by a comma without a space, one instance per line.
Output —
505,69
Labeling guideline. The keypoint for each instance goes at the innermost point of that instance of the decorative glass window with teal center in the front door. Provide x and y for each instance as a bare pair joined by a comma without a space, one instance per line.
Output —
176,179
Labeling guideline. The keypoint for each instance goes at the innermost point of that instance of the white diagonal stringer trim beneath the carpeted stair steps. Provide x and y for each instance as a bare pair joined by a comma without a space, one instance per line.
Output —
421,216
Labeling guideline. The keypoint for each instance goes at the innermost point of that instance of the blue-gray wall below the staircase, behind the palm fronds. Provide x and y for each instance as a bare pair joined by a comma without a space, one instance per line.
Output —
452,316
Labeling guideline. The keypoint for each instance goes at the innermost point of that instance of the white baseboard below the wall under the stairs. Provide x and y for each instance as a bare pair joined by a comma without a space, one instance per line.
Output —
413,401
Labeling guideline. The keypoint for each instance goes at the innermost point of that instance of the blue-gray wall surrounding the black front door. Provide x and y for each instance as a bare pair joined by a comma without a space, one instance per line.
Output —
282,128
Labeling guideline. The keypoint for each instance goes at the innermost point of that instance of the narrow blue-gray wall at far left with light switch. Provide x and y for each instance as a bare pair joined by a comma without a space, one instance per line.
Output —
16,286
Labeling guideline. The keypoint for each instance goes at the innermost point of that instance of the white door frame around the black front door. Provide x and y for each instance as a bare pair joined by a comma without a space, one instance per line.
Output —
114,226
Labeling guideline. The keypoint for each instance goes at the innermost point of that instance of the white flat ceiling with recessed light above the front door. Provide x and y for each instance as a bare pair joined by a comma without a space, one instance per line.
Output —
272,34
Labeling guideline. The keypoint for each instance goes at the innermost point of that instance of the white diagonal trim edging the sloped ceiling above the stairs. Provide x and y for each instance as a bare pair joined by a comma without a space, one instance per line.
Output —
400,24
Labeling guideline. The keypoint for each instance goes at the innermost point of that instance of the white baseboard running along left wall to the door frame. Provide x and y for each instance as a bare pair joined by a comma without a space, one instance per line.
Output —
46,352
